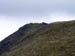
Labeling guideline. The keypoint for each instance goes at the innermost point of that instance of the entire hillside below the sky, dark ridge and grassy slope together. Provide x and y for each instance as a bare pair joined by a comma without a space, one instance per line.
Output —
55,39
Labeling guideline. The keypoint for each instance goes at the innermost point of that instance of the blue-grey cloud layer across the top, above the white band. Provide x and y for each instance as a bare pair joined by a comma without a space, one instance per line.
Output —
35,7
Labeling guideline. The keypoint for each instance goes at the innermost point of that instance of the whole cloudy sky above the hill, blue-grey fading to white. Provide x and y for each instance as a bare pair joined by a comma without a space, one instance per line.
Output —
16,13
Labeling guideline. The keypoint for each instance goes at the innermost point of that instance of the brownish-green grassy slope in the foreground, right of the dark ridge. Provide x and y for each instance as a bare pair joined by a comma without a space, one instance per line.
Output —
56,39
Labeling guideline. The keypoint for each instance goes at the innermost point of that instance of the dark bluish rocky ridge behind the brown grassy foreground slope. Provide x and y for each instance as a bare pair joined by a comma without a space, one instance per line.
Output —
17,38
